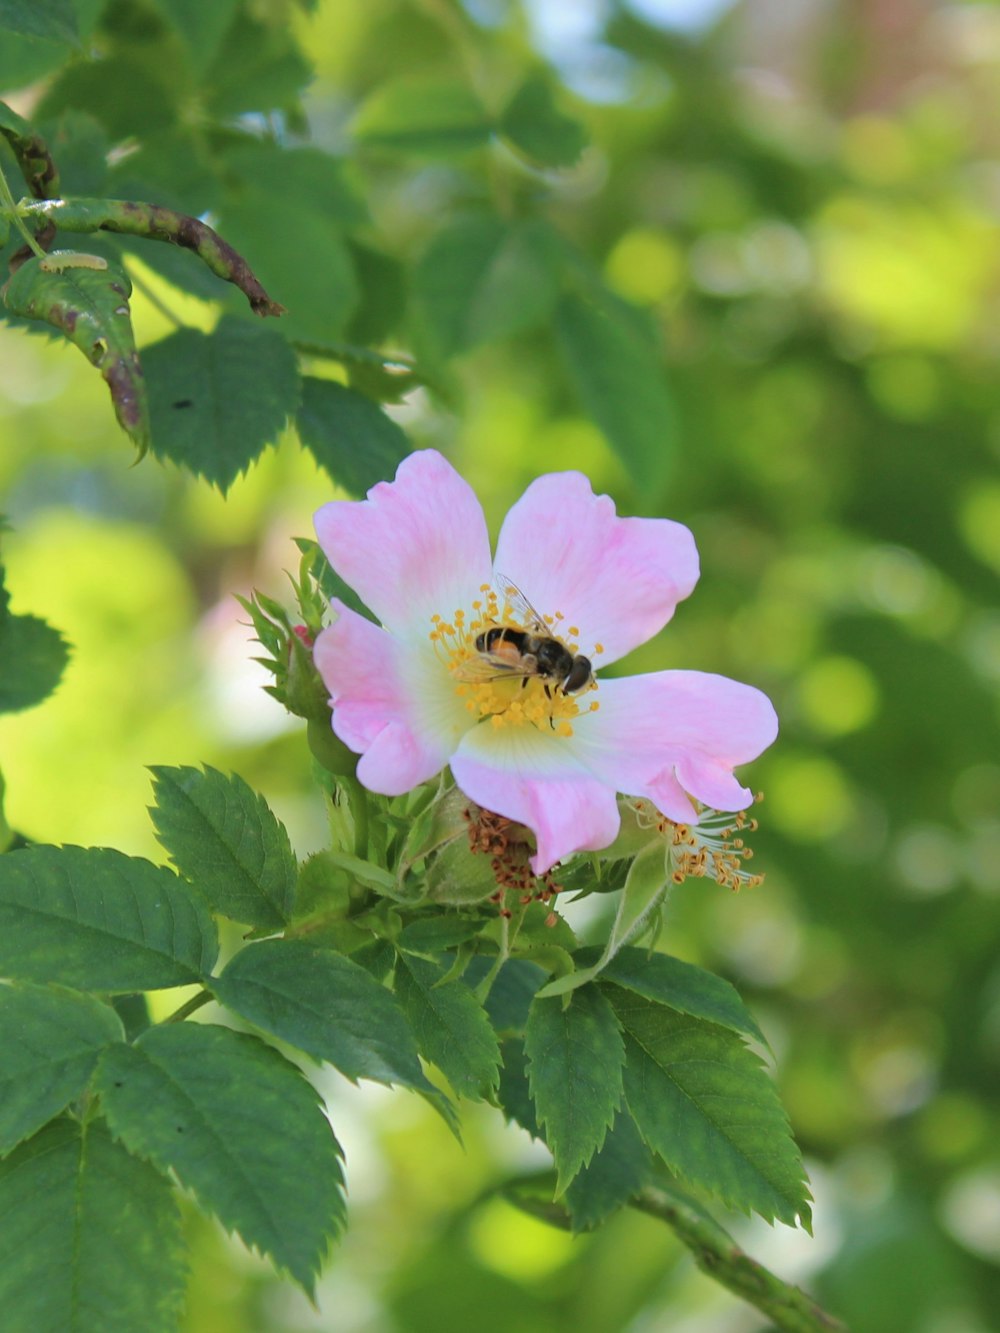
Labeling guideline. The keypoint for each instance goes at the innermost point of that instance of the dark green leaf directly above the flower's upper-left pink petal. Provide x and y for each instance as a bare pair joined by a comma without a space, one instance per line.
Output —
350,437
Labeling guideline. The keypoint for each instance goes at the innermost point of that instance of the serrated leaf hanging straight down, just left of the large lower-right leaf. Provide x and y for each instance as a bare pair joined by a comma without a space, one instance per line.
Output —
575,1056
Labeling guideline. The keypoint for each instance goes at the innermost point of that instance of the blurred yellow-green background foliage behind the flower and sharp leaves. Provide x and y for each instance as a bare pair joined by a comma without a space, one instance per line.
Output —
805,201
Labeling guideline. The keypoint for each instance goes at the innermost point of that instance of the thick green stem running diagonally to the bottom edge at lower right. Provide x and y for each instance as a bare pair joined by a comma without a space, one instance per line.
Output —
787,1307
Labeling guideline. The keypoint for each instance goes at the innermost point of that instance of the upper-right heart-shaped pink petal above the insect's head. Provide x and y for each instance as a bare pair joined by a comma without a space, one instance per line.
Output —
617,581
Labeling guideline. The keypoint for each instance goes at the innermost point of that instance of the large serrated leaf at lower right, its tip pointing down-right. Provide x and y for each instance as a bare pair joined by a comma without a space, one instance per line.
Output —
703,1102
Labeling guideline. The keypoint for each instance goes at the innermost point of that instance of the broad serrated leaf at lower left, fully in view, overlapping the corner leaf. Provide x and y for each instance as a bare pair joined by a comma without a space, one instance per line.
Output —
241,1127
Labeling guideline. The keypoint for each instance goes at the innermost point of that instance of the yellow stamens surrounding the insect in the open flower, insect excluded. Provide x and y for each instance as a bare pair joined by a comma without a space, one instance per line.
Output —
515,700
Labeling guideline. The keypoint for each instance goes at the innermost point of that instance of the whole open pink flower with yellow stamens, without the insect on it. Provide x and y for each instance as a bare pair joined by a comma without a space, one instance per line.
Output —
407,695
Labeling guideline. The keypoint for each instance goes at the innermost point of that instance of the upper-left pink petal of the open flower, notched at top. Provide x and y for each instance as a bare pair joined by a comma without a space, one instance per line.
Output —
417,547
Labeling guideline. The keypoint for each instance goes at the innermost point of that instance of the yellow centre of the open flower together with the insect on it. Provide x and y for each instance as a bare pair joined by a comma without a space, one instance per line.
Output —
514,672
